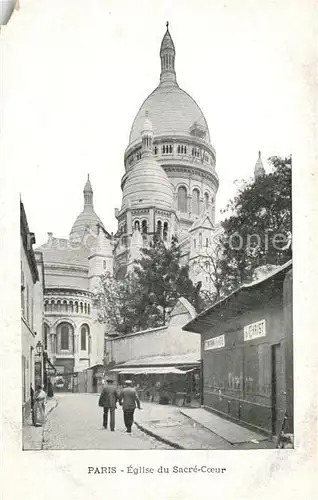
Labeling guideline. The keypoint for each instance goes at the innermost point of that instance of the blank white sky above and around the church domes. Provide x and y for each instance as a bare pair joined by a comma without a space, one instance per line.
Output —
75,72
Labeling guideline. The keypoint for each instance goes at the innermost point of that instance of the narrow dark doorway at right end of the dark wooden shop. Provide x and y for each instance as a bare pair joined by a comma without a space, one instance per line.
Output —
278,394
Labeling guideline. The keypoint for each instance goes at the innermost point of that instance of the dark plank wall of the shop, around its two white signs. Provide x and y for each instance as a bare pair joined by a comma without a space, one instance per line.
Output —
238,376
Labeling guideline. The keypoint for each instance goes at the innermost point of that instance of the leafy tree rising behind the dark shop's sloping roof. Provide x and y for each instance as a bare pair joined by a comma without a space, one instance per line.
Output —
258,230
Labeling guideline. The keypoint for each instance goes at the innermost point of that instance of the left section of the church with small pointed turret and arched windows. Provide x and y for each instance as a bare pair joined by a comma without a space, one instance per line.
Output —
73,337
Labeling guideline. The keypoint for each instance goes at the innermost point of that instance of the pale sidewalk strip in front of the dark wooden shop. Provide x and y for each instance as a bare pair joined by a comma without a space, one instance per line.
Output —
196,429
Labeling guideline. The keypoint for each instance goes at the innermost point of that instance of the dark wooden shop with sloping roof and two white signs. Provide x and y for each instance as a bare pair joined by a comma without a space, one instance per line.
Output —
246,345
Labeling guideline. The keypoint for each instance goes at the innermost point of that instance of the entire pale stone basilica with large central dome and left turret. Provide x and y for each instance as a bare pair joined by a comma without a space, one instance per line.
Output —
169,188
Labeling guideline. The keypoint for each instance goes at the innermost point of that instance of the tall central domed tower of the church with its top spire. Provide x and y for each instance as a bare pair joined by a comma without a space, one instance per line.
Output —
170,183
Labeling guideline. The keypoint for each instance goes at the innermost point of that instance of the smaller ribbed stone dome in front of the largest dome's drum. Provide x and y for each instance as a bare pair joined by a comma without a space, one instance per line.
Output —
147,184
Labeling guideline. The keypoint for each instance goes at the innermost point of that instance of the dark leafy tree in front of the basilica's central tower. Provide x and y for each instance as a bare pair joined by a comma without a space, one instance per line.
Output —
162,280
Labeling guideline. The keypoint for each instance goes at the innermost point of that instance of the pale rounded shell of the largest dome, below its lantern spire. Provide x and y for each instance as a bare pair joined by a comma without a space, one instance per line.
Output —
172,112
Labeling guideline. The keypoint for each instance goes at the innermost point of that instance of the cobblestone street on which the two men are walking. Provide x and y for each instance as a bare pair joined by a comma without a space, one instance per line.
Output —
76,424
